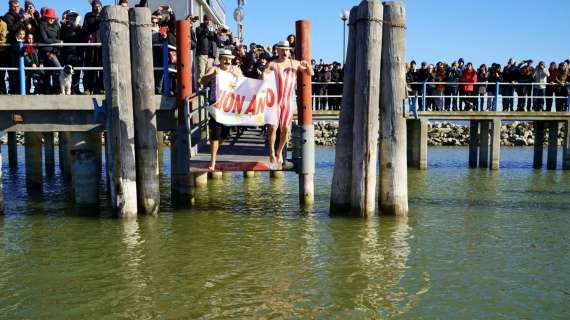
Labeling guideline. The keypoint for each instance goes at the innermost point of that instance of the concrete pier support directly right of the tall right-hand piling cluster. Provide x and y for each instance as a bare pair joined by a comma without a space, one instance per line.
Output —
417,143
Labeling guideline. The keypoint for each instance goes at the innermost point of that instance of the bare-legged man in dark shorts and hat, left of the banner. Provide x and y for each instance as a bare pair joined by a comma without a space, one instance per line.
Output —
218,131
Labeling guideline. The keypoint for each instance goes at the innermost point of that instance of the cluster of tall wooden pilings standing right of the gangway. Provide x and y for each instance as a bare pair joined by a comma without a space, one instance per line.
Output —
374,97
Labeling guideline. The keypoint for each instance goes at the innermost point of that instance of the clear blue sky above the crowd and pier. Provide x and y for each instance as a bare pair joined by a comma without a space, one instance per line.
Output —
480,31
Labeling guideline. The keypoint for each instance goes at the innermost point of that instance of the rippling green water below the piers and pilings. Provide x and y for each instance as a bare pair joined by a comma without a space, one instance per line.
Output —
477,245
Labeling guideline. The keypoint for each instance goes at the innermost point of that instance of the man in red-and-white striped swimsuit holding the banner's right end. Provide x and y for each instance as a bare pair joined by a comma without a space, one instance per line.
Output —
285,70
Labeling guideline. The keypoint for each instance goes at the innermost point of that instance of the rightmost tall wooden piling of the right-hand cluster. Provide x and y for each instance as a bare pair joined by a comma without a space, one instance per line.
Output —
393,196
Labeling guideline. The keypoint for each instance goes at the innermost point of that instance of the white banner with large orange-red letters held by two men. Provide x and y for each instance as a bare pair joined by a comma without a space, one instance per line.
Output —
242,101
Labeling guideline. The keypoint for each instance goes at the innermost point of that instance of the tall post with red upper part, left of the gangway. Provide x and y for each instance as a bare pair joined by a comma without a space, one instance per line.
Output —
182,179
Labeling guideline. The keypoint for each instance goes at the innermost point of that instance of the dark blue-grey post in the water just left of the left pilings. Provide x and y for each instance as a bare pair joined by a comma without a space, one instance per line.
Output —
85,176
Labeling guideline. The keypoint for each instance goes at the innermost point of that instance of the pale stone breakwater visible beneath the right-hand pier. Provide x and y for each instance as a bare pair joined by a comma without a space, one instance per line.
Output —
448,134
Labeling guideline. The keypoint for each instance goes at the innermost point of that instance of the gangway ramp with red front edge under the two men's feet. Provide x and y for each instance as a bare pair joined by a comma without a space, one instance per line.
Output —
246,152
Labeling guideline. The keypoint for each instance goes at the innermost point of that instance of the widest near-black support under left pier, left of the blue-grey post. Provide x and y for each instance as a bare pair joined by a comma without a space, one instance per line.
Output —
34,157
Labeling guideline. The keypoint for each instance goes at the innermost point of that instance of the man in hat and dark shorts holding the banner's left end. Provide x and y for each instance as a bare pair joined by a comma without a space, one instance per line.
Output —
218,131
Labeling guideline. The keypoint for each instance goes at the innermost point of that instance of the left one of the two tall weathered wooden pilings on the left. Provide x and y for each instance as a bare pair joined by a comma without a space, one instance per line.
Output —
118,95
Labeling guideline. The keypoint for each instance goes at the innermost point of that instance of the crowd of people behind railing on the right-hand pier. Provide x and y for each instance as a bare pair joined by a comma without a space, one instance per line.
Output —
461,87
